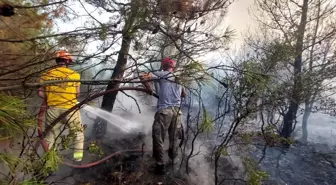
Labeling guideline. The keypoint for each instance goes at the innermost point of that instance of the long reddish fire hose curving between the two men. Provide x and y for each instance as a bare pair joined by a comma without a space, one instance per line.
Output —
41,135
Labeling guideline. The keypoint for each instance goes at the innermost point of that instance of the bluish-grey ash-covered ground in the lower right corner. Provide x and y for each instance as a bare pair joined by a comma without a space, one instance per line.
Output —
301,164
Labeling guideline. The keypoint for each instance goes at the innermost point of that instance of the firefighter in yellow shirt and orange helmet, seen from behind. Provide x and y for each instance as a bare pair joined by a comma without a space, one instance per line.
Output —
59,98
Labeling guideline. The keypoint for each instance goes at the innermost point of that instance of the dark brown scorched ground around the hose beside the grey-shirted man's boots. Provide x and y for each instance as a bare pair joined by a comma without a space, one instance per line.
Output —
134,168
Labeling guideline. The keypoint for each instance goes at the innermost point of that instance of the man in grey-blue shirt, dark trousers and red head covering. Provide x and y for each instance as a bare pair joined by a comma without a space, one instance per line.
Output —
168,114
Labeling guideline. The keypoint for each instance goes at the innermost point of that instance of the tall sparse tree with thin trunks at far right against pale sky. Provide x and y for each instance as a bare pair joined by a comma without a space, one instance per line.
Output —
300,26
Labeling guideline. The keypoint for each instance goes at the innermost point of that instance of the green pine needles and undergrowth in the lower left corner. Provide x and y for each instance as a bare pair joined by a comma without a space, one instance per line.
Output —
15,126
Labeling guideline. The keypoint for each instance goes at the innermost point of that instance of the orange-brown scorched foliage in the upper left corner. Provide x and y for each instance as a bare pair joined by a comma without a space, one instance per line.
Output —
20,60
